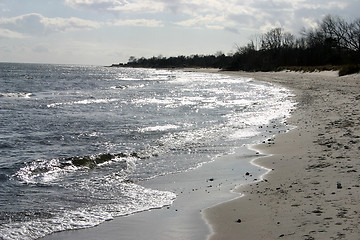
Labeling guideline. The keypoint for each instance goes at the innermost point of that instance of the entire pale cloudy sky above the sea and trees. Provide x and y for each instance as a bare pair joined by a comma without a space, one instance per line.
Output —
102,32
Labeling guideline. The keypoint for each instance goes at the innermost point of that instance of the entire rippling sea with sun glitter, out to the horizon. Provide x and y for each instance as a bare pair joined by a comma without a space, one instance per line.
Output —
76,142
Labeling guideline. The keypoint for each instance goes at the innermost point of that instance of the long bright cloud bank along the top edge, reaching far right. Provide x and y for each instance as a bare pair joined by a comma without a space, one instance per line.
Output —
230,15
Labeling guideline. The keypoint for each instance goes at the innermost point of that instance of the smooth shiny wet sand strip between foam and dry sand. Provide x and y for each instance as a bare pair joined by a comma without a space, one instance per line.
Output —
196,190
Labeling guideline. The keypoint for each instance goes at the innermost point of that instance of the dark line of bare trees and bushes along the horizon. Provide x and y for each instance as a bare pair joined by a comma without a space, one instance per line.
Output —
335,42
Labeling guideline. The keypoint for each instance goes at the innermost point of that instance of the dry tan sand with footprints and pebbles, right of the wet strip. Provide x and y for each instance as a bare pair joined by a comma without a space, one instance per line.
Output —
313,189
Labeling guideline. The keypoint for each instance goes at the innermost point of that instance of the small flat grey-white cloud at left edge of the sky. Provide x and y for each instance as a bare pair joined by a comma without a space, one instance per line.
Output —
36,24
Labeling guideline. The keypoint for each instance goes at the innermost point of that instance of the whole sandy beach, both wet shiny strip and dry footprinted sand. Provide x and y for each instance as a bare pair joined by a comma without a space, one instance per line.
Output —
309,188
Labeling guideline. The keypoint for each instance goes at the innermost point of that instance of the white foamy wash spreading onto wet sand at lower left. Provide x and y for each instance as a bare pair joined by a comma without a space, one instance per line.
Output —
139,199
